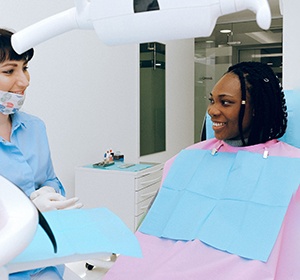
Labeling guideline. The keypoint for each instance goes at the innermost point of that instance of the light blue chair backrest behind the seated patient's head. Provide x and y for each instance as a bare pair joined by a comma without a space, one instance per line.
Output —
292,135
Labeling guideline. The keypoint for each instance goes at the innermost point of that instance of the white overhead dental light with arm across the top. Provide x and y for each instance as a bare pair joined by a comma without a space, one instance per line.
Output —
119,22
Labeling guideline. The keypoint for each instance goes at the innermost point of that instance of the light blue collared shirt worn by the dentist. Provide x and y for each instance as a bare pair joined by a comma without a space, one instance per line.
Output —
26,160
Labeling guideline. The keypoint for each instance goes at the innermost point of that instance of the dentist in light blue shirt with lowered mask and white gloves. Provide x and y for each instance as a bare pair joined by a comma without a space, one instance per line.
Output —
25,157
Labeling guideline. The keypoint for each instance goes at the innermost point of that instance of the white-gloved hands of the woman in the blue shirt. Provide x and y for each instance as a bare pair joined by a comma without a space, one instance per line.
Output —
46,199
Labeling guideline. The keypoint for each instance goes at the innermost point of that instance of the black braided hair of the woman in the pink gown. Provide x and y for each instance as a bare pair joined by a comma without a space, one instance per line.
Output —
267,100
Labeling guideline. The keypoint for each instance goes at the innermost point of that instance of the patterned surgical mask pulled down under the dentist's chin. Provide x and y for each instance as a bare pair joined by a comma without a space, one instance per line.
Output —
10,102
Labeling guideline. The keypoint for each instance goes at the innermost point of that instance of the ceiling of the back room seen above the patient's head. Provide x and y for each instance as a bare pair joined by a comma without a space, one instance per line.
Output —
245,30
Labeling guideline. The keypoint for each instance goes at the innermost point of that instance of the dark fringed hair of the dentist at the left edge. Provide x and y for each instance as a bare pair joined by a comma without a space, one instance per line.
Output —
6,50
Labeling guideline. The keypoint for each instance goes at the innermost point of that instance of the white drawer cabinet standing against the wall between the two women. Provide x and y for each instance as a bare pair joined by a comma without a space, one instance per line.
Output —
124,192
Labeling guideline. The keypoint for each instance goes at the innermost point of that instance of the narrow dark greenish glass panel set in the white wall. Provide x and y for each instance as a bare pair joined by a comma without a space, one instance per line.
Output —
152,98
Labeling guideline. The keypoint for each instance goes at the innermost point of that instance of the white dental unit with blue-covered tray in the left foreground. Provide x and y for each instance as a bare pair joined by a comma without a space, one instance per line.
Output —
80,234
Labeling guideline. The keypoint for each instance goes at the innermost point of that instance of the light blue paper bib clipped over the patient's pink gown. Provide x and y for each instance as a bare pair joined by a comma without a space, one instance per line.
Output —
235,202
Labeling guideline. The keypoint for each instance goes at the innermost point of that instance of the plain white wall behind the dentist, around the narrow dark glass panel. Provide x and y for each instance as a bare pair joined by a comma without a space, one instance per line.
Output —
88,93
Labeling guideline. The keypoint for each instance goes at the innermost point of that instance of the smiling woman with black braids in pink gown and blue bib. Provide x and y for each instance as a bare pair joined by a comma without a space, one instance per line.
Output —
228,207
